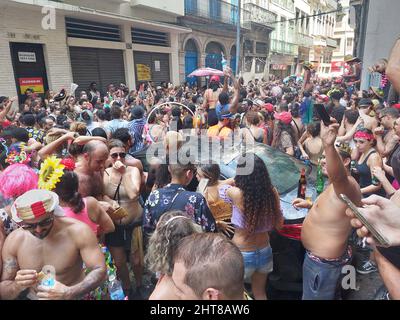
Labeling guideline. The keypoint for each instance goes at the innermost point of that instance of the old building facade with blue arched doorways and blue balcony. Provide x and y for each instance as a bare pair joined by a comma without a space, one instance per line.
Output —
213,24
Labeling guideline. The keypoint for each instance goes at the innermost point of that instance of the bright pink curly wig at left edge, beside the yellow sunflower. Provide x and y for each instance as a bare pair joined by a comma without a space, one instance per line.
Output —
16,180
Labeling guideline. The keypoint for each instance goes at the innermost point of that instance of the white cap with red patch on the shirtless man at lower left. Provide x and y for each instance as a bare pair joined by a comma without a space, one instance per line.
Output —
34,204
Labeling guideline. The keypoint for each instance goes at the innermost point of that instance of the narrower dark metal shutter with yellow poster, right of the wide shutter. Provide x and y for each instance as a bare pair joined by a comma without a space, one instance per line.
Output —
148,58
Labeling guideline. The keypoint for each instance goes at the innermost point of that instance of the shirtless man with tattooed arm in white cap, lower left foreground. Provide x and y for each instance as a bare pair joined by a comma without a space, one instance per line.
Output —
41,241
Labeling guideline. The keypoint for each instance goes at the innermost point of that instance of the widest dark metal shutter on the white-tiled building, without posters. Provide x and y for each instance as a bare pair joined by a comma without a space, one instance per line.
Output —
104,66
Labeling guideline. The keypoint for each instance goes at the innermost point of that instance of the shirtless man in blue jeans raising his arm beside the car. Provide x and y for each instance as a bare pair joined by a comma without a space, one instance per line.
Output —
326,228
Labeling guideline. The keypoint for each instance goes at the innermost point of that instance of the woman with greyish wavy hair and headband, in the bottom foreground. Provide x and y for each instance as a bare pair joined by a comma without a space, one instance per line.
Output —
172,227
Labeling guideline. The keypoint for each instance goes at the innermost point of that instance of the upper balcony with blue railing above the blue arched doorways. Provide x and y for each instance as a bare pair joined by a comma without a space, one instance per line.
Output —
215,11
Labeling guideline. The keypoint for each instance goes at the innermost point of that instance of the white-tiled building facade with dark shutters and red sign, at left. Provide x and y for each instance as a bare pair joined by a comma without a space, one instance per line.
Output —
50,44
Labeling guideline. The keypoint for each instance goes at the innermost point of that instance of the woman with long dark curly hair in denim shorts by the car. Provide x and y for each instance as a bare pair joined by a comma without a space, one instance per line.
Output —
255,211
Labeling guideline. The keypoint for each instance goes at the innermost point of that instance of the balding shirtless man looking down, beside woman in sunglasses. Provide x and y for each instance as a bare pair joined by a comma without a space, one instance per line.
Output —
90,169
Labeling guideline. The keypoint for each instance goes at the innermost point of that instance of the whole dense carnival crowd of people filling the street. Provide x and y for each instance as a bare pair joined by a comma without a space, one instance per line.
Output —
77,198
